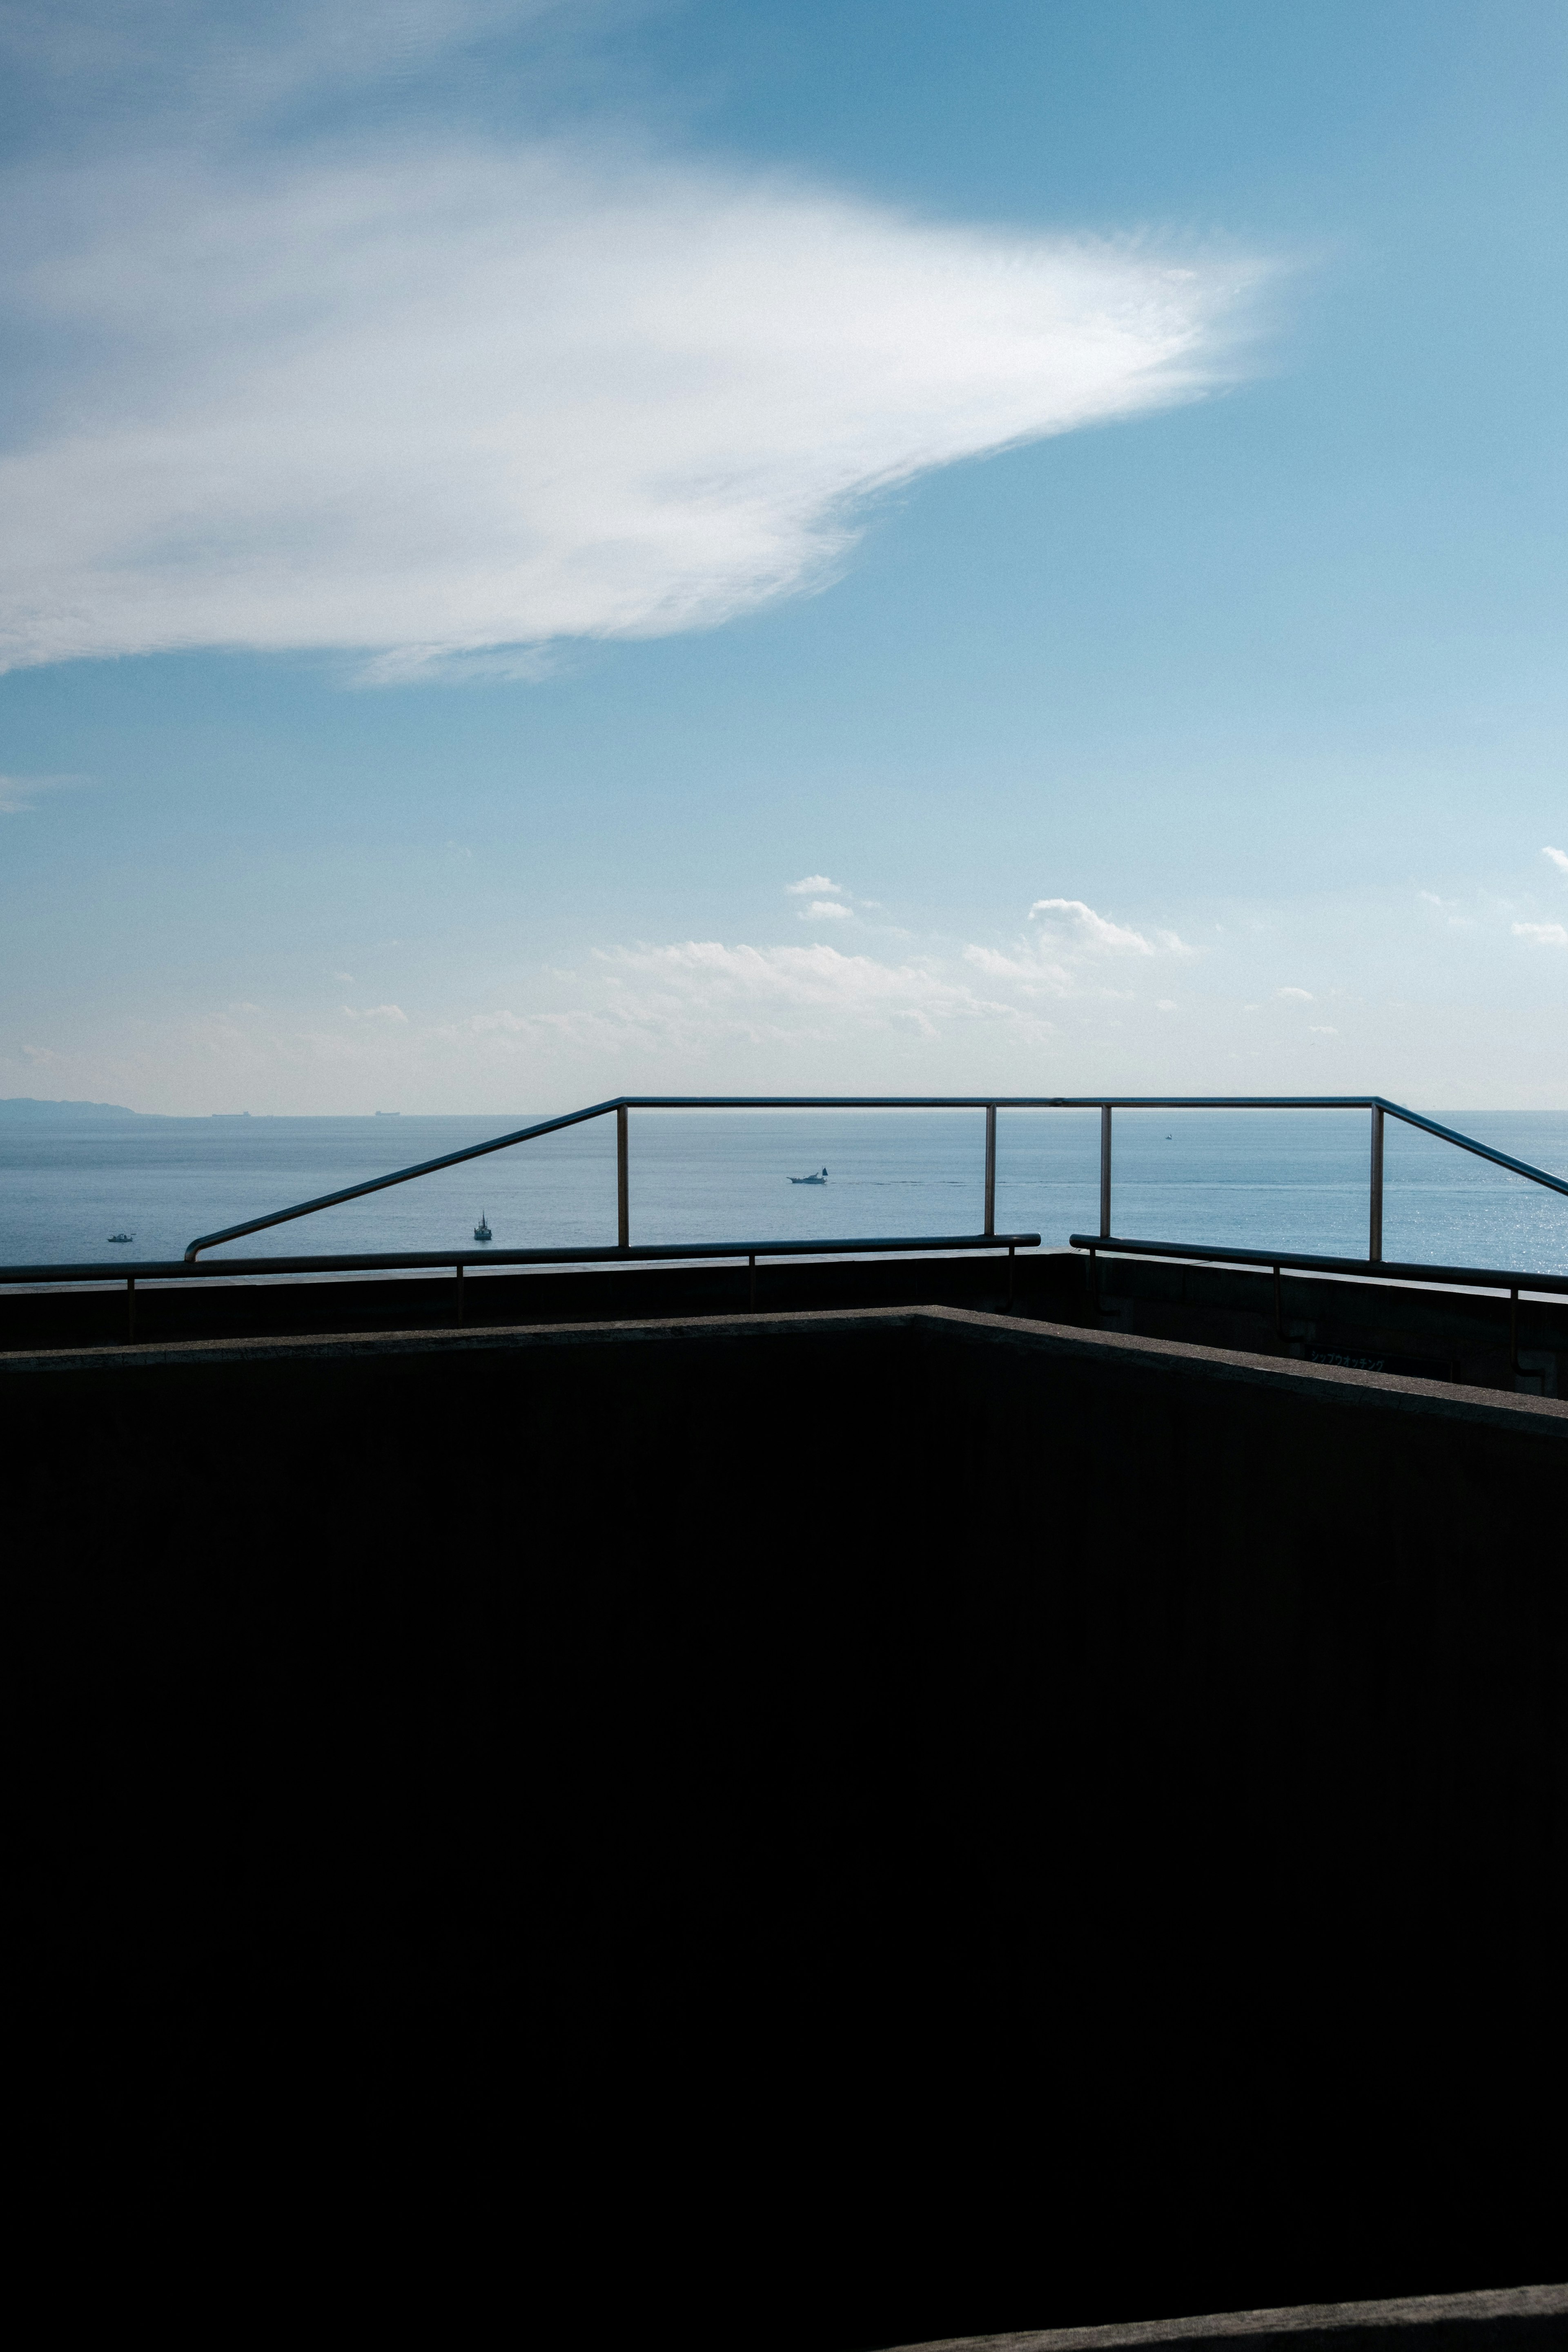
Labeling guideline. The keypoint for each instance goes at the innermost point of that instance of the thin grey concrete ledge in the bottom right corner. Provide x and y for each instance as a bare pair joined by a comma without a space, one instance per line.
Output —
1510,2316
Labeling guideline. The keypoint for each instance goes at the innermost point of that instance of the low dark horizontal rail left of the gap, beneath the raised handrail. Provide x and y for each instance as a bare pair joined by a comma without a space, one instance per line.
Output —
389,1259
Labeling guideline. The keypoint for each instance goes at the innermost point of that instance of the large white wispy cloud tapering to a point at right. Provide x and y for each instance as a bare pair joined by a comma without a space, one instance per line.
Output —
441,399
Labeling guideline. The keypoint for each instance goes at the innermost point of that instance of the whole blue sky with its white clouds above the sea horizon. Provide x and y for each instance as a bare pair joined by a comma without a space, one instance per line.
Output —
775,547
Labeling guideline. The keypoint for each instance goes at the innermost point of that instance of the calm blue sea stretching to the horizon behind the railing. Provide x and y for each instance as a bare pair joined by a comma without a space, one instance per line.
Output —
1266,1180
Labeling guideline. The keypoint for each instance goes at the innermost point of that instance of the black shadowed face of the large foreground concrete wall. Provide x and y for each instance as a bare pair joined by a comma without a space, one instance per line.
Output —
963,1824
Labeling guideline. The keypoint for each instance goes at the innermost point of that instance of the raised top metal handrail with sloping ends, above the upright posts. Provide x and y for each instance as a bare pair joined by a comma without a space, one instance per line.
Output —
876,1102
